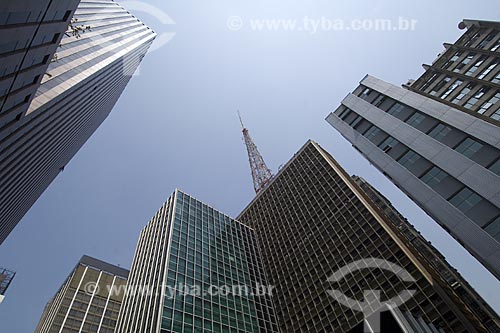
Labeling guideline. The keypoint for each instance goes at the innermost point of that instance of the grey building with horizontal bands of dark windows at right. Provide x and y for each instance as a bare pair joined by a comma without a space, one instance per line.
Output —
412,123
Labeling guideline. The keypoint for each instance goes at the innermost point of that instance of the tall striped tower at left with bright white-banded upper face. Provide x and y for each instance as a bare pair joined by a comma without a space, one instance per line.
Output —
91,68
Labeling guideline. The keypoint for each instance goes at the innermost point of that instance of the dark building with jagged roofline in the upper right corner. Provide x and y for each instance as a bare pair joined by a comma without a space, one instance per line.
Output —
466,75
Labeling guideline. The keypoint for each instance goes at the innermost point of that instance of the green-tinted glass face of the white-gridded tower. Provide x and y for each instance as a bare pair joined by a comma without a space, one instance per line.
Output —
210,250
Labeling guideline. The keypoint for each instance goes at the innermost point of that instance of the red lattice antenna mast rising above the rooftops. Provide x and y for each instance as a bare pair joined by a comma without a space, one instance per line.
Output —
261,174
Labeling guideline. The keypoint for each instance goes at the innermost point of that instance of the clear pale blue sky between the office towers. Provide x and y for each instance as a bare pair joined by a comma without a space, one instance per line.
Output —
176,126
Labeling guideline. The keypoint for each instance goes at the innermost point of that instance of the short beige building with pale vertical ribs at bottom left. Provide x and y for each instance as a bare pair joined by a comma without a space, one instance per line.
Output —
88,301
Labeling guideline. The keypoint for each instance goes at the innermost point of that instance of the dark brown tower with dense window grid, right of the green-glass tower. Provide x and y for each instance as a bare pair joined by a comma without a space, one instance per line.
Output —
323,242
